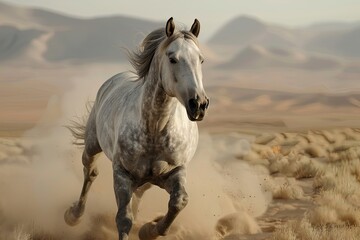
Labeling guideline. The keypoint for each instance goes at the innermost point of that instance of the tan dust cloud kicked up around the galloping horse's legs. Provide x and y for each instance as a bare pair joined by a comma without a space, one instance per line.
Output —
41,175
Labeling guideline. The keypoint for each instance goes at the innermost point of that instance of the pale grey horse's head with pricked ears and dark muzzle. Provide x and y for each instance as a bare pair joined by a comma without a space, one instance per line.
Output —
181,72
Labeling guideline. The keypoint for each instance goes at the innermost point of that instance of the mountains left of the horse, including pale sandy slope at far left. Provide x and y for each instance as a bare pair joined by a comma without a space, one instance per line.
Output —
71,38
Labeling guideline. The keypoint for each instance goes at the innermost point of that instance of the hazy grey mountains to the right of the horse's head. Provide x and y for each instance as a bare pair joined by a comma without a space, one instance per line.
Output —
339,39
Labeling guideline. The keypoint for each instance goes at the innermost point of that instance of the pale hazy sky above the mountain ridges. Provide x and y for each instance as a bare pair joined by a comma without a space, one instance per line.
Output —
211,13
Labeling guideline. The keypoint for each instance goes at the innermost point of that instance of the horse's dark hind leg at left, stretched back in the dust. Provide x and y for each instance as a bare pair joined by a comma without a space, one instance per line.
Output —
73,214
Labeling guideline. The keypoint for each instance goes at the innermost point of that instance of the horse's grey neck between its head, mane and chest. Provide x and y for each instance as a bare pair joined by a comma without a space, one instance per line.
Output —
157,107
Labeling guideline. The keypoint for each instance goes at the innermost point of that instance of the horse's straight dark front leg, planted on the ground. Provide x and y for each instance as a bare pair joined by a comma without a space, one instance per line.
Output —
123,187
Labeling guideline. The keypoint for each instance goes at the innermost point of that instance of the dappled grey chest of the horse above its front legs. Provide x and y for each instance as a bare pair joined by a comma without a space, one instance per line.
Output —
146,155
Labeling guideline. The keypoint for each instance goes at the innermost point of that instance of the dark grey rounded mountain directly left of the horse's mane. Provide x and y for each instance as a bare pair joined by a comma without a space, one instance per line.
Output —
98,39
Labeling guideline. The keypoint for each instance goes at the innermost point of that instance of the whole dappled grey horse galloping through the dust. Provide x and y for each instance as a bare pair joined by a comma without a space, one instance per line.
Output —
146,123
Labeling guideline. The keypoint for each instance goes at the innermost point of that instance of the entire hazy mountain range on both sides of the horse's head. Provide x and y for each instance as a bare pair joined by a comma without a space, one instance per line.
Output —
69,38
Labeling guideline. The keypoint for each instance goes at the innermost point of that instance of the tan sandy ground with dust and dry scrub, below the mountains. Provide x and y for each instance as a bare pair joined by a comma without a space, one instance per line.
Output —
270,164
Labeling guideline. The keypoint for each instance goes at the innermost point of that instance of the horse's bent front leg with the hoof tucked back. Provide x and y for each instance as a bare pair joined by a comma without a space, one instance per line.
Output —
174,185
